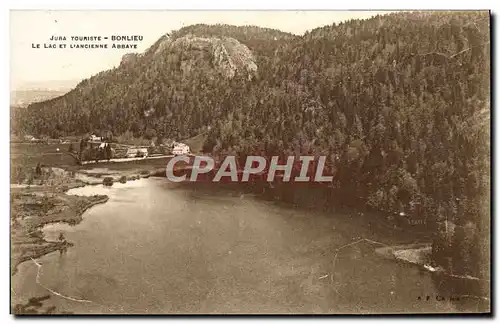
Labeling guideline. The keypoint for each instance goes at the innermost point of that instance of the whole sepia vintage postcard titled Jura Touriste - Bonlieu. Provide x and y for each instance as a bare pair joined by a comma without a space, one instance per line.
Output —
250,162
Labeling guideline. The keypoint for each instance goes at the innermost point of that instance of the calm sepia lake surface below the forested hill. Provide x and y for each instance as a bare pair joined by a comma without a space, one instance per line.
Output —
156,249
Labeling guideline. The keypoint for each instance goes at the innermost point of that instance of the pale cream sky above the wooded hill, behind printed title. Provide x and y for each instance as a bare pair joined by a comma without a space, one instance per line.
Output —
29,65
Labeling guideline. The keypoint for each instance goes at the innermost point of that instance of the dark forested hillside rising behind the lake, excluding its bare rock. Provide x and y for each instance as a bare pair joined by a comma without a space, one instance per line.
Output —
400,103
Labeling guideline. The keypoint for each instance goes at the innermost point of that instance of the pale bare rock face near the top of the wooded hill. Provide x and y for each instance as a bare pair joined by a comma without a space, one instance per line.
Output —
227,55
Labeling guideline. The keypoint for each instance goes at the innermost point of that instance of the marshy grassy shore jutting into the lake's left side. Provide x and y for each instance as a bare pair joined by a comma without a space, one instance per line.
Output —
38,204
